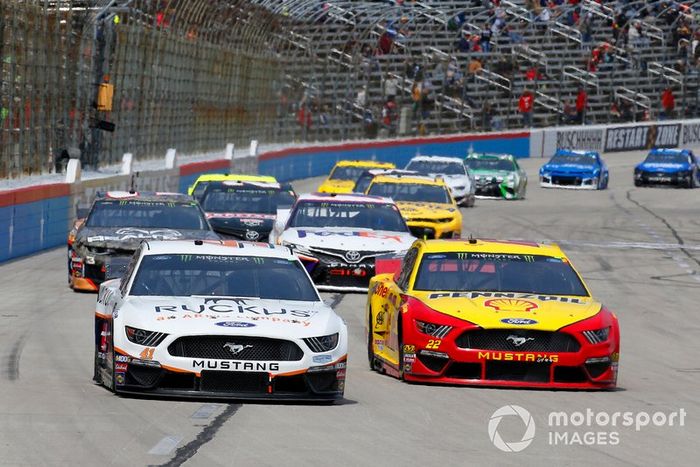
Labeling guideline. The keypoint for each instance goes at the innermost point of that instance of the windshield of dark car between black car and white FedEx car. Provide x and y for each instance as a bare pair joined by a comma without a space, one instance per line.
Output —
241,199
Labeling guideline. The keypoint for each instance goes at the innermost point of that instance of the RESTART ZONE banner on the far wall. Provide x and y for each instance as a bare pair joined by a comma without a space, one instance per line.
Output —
629,138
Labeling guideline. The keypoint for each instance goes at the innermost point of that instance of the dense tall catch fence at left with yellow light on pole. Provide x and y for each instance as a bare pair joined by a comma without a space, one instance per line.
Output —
90,79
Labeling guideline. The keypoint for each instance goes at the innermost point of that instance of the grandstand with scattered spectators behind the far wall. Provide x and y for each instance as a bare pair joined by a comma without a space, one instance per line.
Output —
339,55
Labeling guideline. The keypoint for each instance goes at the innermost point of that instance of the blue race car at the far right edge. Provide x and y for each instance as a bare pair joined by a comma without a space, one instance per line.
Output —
668,167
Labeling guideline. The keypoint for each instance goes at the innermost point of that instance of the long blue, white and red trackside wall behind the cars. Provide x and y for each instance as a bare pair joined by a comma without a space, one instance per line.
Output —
36,218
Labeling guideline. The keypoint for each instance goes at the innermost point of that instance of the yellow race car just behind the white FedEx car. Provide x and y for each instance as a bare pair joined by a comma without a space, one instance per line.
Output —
426,204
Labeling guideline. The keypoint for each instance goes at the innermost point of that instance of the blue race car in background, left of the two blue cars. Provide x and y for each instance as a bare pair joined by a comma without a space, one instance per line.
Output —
576,170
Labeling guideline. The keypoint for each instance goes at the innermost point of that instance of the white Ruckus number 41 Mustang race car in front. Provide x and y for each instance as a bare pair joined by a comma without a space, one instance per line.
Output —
208,319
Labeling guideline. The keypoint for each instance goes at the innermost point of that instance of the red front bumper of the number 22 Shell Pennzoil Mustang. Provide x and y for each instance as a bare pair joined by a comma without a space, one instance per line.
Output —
448,361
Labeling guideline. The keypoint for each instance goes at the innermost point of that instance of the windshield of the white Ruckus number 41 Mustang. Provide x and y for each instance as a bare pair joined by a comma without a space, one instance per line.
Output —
183,275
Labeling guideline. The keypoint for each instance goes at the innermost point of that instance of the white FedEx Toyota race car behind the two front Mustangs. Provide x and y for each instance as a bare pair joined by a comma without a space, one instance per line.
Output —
342,235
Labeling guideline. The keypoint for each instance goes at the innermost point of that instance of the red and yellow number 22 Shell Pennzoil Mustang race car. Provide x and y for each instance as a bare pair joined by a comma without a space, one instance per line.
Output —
491,313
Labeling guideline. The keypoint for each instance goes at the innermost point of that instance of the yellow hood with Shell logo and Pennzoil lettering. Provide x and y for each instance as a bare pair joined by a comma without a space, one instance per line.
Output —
504,310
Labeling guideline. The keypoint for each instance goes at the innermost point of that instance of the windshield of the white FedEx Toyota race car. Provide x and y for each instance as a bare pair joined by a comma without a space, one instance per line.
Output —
375,216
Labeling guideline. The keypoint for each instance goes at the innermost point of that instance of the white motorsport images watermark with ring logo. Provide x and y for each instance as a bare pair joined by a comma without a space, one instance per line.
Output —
588,427
